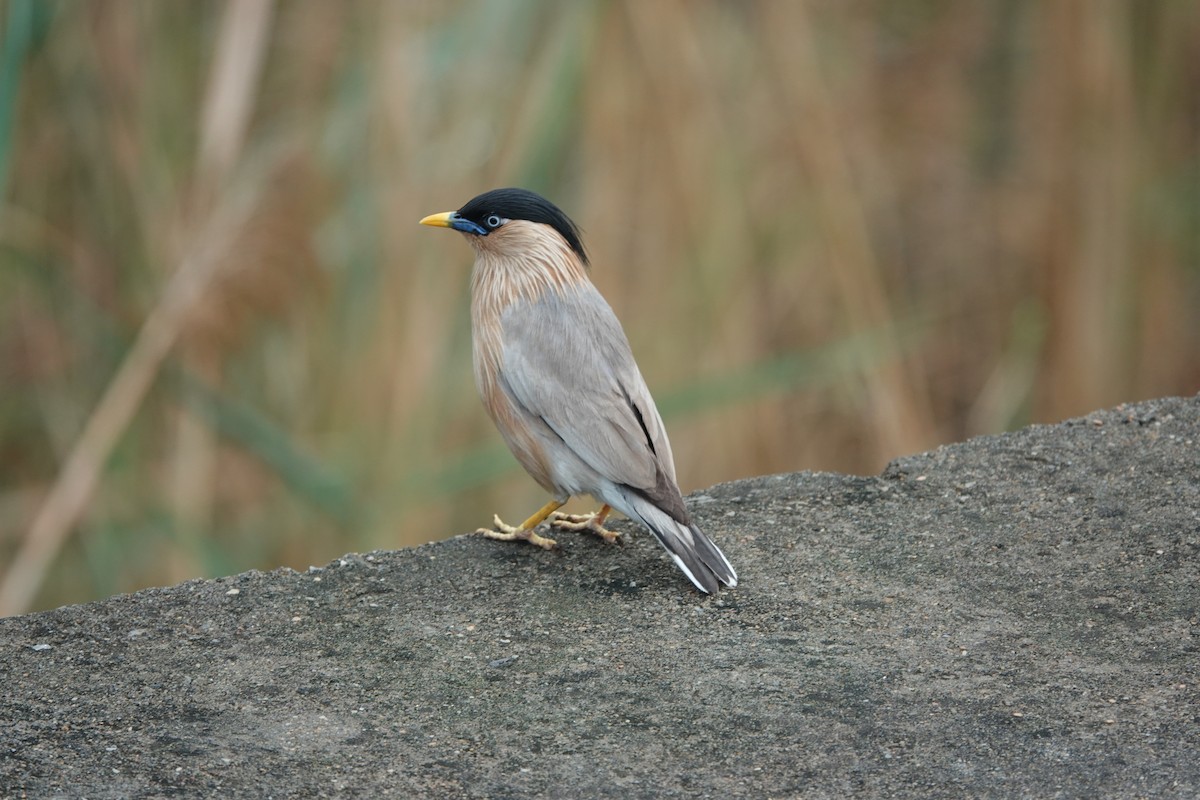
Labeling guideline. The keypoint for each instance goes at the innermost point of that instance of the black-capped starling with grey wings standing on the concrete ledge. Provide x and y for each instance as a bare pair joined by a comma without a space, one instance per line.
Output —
556,374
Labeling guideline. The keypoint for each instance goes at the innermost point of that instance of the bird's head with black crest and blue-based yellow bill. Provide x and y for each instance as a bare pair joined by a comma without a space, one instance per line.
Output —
505,220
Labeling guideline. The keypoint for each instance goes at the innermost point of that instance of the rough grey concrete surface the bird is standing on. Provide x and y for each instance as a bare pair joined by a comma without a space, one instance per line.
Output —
1017,616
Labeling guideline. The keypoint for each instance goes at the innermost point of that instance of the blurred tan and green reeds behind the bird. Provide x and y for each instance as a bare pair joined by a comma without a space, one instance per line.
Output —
837,233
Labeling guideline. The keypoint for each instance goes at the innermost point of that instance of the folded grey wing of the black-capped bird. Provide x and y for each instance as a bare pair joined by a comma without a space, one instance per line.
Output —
567,360
